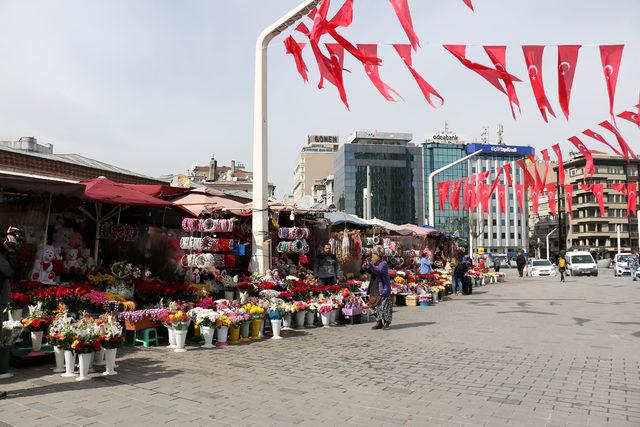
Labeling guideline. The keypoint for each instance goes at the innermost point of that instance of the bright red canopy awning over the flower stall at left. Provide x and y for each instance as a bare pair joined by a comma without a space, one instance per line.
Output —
106,191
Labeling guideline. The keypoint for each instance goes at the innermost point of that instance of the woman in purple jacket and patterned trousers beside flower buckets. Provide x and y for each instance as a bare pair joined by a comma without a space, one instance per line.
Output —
379,288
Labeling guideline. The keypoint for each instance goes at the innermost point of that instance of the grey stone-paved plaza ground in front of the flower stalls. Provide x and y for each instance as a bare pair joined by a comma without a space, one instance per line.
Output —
528,352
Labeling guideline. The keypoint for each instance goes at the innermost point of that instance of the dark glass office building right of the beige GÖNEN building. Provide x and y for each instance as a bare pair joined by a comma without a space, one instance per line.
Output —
396,176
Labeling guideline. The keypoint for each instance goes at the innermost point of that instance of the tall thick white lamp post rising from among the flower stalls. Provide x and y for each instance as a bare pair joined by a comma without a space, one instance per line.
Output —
260,215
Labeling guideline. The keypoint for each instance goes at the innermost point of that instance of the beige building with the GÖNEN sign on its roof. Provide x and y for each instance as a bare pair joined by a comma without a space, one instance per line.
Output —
315,162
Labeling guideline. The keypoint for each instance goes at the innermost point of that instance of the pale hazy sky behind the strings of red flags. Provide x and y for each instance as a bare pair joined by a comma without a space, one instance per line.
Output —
156,86
